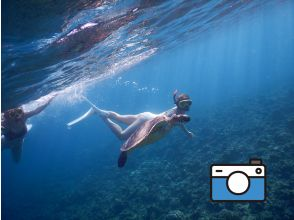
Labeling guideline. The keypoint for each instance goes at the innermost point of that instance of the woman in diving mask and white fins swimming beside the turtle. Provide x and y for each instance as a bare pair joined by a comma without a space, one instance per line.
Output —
133,122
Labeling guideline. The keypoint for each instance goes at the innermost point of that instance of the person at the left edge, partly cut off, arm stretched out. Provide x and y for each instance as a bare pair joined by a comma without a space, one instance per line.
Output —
14,127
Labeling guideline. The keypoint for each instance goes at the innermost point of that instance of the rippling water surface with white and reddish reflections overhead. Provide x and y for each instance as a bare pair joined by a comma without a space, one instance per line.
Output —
49,47
